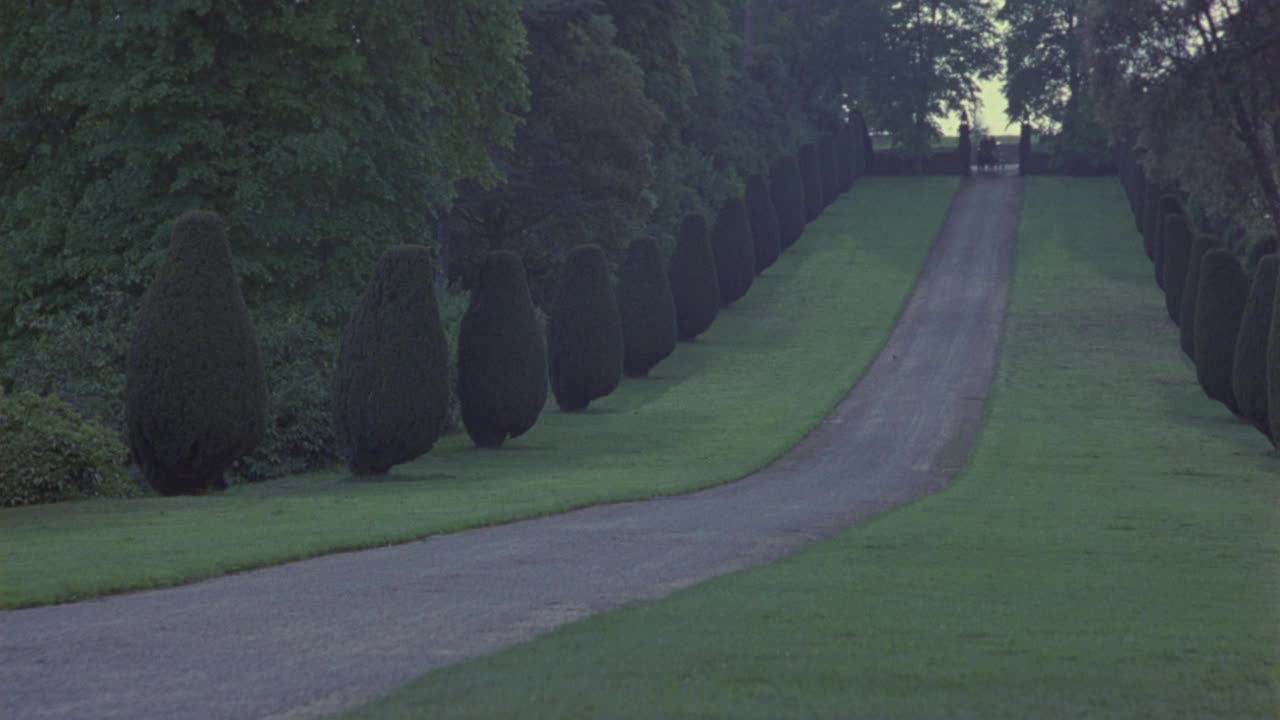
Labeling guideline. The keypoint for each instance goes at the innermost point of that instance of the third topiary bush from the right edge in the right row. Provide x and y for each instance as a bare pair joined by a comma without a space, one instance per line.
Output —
1223,294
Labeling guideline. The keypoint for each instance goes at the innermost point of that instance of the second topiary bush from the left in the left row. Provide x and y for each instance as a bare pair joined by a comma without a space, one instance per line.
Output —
392,393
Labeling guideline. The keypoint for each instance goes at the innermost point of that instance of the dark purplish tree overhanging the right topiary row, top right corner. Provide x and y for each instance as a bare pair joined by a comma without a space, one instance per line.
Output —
1195,84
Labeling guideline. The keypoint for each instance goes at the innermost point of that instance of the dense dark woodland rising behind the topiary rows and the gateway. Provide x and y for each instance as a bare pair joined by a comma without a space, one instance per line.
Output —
324,134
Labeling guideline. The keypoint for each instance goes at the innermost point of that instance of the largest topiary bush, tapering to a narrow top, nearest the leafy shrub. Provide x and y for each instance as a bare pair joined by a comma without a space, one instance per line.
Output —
195,386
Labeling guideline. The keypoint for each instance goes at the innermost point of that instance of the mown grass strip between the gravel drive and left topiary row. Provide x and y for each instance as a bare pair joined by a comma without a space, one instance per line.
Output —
766,373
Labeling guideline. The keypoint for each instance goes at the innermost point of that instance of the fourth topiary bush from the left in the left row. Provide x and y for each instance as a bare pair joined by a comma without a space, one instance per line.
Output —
586,347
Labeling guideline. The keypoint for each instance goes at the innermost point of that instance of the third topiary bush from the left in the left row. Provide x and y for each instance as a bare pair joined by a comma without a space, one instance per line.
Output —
502,358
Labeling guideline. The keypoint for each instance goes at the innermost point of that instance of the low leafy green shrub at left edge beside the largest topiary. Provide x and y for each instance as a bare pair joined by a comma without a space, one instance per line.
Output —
49,453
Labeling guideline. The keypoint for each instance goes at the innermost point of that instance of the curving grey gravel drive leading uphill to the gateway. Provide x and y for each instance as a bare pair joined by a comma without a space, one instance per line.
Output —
316,637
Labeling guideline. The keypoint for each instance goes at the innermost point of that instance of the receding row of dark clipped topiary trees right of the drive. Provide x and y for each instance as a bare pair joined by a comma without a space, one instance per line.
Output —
1223,298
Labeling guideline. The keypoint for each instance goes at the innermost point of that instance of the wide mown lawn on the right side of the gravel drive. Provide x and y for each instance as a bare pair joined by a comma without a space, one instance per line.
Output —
1113,550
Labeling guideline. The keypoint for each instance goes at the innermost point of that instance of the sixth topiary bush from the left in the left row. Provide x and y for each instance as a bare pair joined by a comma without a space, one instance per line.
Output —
694,282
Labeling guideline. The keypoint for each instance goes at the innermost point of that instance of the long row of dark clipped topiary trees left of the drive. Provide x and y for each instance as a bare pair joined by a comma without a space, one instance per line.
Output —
196,390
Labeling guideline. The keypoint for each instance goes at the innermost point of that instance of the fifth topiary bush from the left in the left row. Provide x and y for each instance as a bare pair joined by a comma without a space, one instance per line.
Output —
647,308
